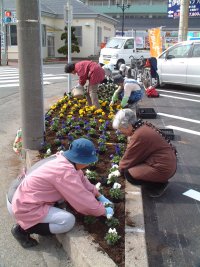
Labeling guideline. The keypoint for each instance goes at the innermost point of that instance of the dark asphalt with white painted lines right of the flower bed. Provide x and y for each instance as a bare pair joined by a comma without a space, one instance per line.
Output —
172,221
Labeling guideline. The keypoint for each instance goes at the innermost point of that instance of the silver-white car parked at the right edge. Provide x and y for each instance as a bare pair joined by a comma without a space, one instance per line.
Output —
180,64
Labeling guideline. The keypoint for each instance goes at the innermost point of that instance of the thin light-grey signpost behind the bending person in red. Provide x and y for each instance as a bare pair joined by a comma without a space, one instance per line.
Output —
68,17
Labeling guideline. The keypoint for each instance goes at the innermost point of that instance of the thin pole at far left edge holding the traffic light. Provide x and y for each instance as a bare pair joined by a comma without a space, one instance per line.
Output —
4,59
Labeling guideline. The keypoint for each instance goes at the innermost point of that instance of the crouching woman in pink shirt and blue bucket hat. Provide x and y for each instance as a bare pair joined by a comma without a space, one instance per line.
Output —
59,177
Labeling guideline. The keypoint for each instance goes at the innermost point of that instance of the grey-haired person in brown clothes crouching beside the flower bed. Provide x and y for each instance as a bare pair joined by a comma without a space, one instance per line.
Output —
149,158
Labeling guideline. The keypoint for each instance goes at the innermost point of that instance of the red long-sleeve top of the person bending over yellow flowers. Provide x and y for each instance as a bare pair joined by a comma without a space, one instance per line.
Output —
89,70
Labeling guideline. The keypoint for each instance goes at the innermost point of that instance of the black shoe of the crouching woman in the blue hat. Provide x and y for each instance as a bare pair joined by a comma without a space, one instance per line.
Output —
23,237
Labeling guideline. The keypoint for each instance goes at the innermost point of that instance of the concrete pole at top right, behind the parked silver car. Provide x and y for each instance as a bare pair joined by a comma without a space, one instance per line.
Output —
183,20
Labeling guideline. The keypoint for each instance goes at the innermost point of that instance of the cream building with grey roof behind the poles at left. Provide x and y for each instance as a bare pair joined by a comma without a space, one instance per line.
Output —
91,28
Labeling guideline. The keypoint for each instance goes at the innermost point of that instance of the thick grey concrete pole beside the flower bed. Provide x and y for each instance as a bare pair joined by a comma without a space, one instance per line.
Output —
30,73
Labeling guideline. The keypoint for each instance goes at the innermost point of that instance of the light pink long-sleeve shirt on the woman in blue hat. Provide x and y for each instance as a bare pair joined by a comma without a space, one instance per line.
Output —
54,180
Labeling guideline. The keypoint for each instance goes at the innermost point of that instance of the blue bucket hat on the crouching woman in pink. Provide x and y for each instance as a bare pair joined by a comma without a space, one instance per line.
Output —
81,151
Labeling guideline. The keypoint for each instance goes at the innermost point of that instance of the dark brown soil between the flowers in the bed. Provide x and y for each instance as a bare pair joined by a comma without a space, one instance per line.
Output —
98,229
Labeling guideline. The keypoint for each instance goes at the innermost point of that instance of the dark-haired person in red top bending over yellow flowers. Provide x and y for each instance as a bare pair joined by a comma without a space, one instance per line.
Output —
88,70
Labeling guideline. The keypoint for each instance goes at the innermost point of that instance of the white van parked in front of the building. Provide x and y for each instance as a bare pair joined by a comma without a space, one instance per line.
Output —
118,51
